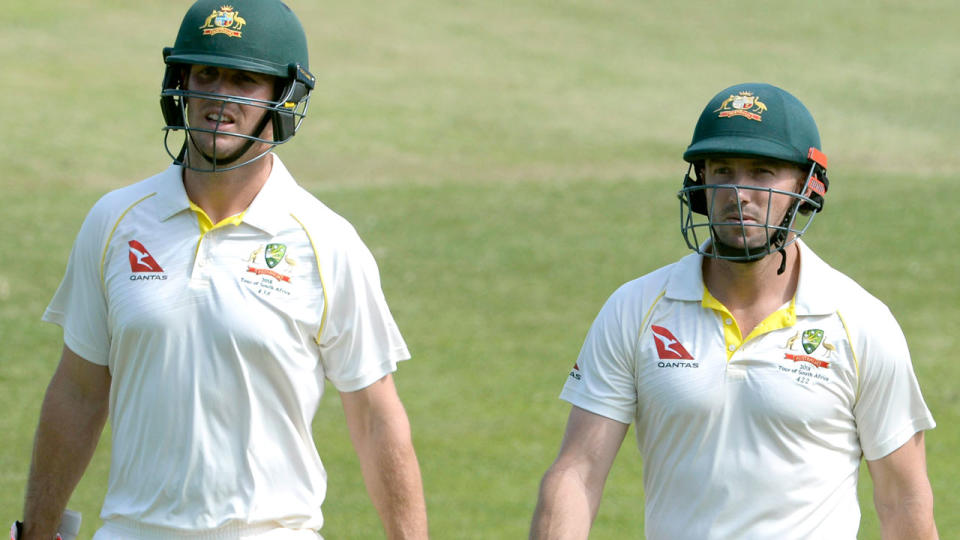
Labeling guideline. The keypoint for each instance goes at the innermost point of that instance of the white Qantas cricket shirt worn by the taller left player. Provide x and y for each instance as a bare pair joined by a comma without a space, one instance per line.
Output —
218,339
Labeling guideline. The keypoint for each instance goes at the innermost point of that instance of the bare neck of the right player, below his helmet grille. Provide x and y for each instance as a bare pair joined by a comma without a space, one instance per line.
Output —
753,286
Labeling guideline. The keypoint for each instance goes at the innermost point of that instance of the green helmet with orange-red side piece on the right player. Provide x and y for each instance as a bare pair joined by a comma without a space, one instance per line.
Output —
752,120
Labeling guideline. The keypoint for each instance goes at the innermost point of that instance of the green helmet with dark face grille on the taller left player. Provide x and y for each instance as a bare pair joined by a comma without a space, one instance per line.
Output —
260,36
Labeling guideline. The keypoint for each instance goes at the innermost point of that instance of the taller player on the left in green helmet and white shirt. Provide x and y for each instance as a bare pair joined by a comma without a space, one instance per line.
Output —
205,308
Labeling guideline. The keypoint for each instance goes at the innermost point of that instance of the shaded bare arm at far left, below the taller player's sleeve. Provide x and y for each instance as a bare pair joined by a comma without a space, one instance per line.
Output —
72,417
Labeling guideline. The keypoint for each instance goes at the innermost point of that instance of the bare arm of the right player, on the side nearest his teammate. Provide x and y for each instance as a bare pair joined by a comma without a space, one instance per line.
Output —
572,487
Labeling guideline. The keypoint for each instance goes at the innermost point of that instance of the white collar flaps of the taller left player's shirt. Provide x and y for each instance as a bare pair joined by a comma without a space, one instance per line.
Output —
265,212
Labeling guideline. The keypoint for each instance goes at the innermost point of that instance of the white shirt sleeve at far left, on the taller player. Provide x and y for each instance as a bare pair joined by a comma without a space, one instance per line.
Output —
79,305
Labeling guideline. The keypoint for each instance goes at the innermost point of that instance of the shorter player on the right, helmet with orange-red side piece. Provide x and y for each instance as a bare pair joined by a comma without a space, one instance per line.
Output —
756,375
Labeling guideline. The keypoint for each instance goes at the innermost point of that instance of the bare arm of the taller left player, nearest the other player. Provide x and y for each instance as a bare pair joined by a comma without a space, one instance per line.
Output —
380,432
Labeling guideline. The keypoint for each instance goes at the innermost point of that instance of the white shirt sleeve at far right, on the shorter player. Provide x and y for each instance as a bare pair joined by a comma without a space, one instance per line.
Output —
890,408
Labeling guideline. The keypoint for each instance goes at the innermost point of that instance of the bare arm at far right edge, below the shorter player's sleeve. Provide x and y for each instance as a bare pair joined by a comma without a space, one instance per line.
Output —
902,493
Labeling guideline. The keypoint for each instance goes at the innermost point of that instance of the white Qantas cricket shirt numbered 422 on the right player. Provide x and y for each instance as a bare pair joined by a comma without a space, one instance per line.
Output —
758,437
